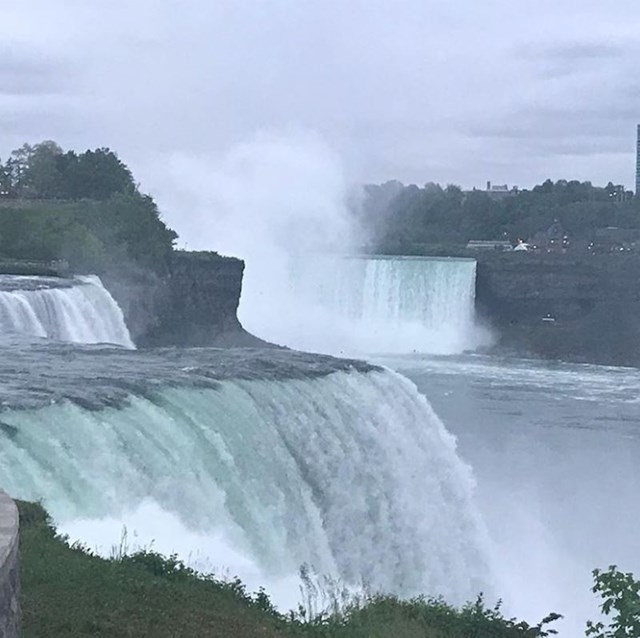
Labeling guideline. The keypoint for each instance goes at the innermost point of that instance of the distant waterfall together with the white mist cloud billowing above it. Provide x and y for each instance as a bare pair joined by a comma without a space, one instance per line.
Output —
282,204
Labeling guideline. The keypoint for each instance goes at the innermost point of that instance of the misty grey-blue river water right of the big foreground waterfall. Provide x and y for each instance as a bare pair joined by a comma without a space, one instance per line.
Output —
554,449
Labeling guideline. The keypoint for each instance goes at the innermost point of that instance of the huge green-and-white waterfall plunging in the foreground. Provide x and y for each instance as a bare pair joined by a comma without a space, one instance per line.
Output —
352,473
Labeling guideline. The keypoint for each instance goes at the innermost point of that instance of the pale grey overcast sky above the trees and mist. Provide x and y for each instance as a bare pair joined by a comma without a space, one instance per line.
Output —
455,91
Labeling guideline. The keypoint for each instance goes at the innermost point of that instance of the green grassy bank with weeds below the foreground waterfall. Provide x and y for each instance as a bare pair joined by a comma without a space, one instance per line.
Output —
67,592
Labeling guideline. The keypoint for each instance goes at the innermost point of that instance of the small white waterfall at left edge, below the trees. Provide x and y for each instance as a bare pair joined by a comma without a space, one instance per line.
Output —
79,310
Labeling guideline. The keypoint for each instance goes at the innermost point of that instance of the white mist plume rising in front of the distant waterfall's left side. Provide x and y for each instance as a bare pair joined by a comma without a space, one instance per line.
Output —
269,201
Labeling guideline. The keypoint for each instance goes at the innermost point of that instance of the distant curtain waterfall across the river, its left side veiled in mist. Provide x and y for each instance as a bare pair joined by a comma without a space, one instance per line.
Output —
368,304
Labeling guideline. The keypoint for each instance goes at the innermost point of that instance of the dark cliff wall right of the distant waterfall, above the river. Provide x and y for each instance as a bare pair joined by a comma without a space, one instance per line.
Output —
576,308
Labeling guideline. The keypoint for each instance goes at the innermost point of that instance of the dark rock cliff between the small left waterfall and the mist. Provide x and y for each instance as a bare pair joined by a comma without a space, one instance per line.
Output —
193,304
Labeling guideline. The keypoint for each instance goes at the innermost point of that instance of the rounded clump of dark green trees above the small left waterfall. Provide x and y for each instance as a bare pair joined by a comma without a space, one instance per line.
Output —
84,208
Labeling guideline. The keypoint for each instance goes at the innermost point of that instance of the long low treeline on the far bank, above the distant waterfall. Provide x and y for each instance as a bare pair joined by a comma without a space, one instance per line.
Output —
402,218
